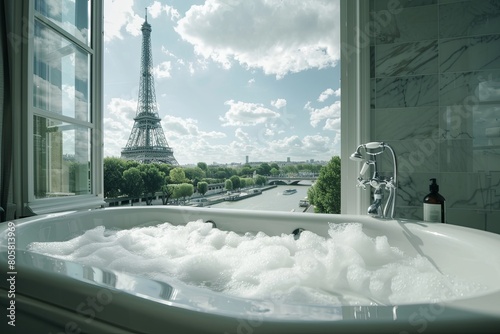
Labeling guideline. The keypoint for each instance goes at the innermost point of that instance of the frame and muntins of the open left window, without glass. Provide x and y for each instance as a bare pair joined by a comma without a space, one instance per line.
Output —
24,149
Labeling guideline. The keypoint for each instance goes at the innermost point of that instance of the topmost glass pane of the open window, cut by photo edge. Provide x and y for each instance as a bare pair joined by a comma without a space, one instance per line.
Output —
72,16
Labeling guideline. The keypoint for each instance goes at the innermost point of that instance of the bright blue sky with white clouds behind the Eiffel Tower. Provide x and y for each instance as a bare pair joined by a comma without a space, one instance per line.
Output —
233,78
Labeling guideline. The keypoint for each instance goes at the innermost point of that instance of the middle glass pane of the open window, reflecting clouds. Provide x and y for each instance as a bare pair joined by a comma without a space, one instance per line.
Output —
60,75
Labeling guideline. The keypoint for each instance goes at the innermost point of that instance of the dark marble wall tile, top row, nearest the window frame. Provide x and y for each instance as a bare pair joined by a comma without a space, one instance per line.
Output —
408,25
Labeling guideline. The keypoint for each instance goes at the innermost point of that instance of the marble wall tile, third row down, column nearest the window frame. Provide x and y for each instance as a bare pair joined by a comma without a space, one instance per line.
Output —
411,91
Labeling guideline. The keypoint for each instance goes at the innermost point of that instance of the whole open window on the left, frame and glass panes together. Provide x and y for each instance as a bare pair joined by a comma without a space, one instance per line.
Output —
56,59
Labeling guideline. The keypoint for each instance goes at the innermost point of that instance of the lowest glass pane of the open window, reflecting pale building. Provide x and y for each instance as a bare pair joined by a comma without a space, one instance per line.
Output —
61,158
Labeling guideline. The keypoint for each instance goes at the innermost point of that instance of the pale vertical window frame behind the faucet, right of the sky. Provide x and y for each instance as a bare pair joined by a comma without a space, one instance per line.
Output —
355,101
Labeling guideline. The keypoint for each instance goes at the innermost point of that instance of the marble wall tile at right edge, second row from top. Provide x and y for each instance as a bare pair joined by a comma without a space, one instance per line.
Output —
469,54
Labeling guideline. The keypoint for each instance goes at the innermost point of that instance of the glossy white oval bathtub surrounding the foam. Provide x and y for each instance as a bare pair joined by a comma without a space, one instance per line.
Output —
56,296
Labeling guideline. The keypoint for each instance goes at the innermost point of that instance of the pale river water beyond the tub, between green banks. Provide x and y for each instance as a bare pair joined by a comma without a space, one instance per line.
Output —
270,200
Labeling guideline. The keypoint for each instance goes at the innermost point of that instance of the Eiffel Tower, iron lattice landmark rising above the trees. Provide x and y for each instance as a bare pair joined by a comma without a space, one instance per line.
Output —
147,142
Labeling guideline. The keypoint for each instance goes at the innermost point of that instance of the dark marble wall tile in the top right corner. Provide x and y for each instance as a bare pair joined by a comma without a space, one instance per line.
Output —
478,17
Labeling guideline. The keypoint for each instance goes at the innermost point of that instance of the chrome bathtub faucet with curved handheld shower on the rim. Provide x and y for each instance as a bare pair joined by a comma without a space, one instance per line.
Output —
388,183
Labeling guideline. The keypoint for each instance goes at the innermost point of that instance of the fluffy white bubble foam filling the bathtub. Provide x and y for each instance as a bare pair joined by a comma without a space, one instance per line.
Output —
348,267
